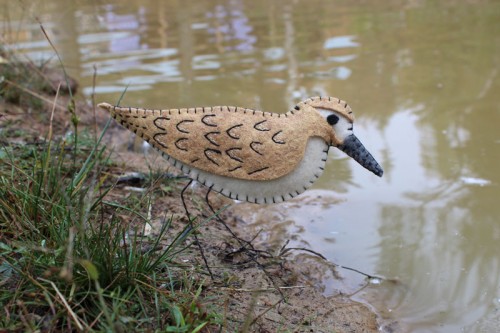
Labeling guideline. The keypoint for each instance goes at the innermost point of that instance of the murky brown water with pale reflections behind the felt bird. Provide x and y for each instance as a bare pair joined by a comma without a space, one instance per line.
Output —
423,80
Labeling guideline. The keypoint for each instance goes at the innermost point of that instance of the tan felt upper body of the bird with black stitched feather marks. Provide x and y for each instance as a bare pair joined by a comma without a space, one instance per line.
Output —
231,141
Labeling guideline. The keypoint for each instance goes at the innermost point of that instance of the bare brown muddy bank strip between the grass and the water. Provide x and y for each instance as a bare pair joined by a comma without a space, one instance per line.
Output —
262,290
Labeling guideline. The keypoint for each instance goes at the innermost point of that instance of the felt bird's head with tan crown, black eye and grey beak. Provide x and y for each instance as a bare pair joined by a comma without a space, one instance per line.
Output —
338,118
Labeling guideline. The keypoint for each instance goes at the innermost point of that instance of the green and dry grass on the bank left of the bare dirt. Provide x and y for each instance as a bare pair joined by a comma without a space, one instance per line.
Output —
70,261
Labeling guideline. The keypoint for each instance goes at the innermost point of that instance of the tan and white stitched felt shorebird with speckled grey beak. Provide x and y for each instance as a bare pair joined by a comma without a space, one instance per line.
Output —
250,155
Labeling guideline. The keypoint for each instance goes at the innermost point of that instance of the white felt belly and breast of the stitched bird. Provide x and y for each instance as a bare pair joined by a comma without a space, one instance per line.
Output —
270,191
